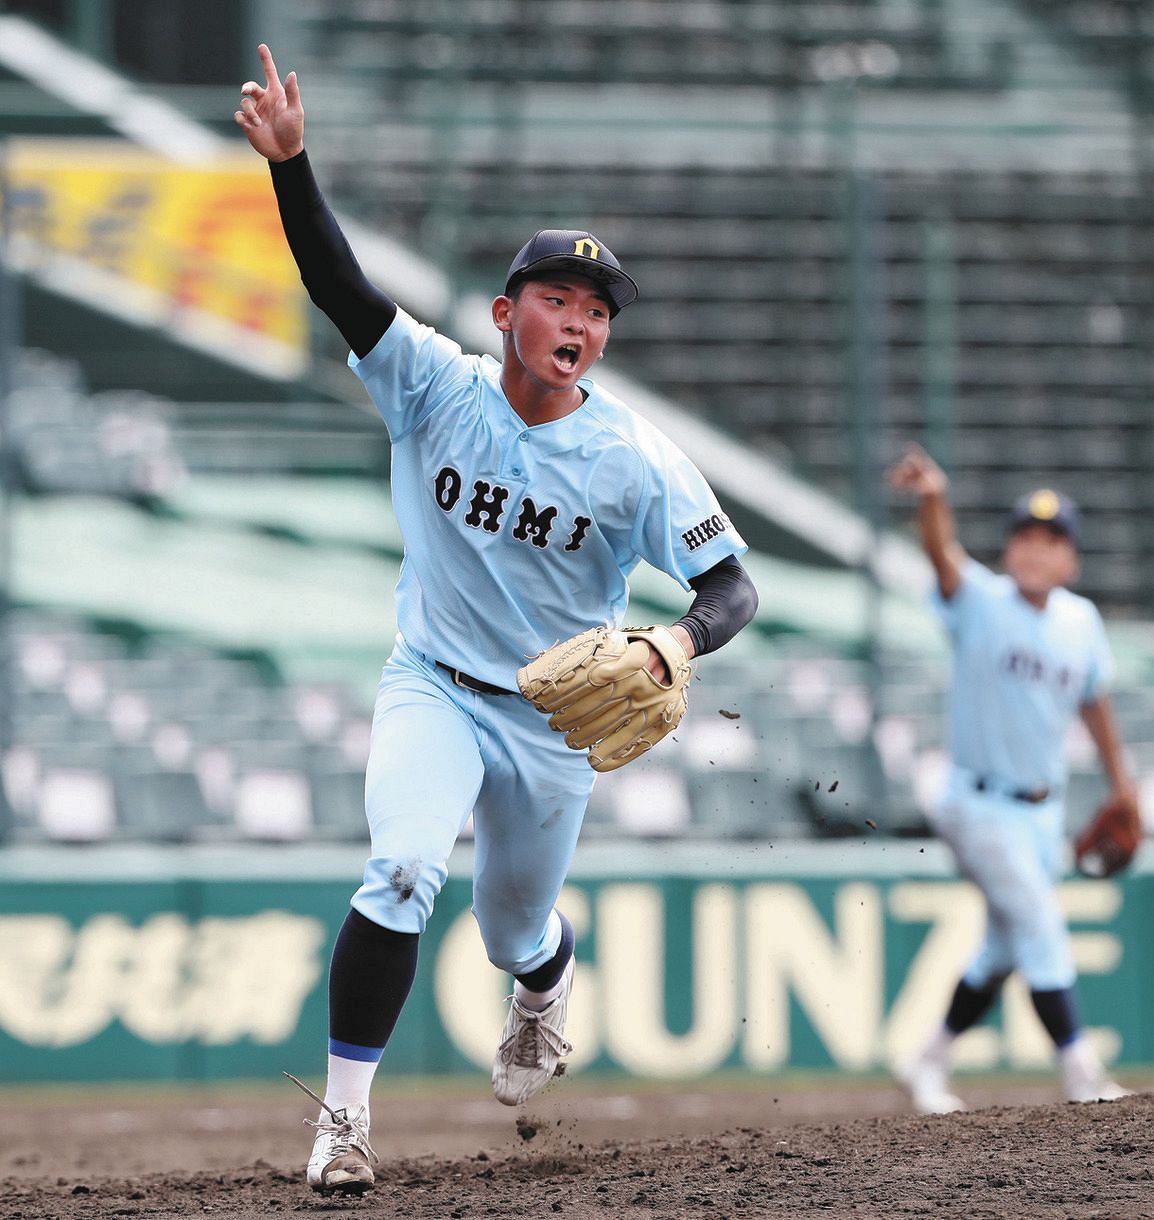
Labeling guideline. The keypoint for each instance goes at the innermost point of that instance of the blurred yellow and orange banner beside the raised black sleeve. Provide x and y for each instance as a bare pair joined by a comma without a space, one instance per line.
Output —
207,240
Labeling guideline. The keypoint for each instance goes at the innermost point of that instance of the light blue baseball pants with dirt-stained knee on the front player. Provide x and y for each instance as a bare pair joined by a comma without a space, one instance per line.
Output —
440,753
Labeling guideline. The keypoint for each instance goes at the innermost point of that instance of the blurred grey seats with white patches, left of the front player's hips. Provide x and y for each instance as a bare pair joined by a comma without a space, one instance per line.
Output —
169,741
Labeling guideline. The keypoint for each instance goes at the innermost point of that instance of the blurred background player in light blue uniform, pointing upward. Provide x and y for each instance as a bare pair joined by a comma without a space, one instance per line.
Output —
1028,657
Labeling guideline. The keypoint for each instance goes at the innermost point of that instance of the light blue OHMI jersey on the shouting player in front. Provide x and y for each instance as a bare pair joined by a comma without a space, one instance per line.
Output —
517,536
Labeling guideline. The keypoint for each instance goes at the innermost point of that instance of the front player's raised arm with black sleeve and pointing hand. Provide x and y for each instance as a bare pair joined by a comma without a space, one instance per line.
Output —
274,120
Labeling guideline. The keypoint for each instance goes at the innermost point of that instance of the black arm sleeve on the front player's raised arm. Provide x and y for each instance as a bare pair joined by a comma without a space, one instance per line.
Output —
329,269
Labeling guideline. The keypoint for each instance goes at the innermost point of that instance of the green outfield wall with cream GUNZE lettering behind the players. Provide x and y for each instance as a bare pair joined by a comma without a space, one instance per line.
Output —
693,958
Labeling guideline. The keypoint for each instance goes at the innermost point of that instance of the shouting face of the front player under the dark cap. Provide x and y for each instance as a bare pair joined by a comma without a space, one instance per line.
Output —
558,329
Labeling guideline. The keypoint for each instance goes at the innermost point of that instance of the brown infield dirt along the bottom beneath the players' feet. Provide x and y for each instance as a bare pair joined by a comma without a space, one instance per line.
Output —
584,1152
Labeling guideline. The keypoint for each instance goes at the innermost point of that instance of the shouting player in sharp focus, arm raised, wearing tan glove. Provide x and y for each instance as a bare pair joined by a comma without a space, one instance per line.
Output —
526,496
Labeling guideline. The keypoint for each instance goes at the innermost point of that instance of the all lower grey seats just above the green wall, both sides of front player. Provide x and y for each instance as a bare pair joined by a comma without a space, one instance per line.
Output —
164,740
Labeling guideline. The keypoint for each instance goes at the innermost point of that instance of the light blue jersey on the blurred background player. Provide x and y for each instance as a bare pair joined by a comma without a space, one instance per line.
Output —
1019,676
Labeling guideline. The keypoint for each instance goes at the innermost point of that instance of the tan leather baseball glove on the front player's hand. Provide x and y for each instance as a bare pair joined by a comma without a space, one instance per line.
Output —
598,691
